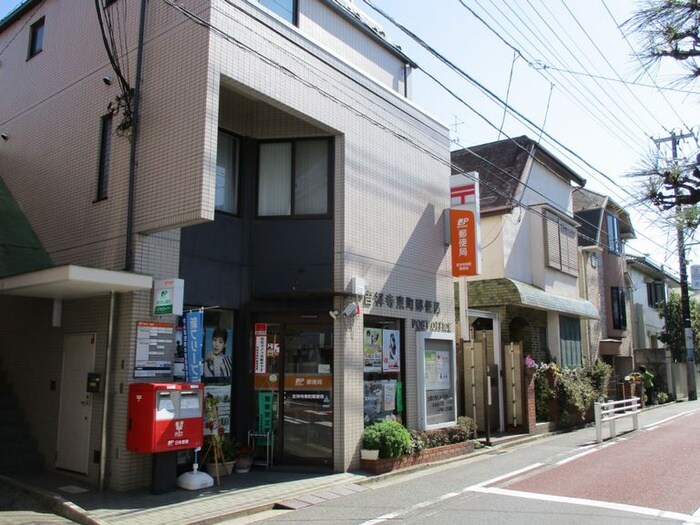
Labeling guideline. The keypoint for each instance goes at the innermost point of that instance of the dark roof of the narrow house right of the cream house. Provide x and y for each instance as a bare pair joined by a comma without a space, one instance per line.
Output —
588,211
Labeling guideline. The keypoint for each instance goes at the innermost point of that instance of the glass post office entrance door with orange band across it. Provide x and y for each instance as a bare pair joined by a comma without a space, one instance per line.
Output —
299,373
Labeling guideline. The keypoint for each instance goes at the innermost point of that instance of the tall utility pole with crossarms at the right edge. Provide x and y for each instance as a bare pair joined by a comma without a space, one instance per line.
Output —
685,298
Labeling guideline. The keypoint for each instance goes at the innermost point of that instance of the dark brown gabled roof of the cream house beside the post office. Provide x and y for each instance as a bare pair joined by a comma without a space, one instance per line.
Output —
502,170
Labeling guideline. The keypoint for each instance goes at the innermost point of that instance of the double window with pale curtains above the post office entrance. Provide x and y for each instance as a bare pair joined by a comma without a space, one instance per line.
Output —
293,178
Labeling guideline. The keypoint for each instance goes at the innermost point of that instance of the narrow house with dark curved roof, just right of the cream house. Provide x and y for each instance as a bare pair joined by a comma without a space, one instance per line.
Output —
604,228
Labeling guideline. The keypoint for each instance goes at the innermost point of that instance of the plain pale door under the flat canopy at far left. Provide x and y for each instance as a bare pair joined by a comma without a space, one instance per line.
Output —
72,448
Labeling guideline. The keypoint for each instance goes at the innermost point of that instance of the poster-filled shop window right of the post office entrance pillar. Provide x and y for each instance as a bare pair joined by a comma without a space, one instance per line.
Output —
383,371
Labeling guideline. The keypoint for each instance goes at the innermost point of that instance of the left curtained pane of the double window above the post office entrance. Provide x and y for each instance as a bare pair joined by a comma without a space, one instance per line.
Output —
275,179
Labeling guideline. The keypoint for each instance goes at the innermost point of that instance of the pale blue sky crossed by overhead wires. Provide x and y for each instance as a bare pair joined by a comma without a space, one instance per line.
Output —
565,66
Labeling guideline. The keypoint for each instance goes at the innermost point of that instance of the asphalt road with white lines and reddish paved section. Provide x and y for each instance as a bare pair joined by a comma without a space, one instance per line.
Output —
643,477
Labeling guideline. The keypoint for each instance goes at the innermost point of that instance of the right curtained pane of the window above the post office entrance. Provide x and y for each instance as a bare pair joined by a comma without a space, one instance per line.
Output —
311,178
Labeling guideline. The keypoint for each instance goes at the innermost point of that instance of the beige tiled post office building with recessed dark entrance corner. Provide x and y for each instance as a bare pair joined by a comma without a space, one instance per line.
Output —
266,153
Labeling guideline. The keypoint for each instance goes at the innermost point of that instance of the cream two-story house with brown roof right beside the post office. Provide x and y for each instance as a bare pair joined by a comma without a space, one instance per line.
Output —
528,291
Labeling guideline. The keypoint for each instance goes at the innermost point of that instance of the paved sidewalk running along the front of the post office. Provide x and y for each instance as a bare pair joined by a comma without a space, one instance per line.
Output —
61,498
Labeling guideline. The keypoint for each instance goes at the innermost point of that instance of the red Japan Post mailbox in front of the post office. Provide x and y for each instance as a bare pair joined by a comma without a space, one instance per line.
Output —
164,417
